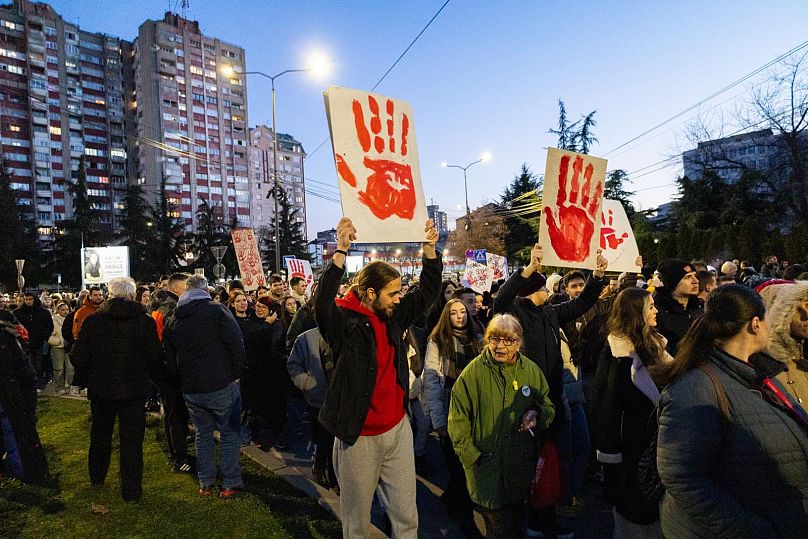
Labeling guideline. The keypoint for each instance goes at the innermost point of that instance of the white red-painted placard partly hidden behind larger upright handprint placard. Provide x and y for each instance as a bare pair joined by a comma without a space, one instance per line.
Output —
617,239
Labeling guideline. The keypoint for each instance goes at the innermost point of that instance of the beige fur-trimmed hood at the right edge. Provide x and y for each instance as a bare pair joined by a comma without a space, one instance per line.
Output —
780,309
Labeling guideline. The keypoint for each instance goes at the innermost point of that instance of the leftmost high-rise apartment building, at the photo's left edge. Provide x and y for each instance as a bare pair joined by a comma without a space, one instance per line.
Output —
61,98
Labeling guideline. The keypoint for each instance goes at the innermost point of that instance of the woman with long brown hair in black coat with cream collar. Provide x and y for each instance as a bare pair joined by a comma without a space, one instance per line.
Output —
627,386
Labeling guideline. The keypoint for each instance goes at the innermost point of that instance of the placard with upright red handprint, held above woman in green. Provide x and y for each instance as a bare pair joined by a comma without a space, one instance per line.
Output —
569,228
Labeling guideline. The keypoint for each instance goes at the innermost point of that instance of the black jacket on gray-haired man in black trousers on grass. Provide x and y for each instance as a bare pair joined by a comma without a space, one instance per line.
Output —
119,352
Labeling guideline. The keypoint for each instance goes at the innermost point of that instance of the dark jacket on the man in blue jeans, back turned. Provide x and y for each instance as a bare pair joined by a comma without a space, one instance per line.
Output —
204,345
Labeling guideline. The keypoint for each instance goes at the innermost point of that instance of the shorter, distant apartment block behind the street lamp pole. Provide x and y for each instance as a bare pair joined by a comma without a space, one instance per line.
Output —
290,175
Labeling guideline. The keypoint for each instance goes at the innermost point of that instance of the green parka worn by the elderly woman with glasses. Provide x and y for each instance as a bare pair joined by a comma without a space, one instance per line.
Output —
488,402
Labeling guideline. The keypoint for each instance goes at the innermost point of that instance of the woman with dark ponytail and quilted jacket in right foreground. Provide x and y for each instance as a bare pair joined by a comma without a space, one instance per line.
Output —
732,448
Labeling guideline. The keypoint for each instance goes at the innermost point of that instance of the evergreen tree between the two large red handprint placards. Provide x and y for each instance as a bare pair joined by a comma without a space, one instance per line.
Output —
524,206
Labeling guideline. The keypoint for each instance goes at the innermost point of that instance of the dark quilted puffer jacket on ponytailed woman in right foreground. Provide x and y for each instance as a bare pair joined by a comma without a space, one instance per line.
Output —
746,478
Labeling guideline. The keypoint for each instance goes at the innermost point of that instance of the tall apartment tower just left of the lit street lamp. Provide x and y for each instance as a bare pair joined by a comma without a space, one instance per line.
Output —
190,118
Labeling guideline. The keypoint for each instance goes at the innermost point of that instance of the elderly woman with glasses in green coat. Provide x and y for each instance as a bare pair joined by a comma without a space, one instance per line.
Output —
499,404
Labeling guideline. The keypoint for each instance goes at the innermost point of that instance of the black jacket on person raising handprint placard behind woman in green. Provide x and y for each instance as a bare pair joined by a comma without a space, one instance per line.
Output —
541,341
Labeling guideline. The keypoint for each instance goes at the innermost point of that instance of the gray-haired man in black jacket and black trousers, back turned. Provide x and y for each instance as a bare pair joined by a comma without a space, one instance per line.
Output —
119,353
